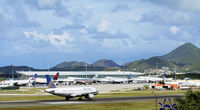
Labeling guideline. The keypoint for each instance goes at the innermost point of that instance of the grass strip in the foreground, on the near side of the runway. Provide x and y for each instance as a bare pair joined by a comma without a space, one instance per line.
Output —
109,106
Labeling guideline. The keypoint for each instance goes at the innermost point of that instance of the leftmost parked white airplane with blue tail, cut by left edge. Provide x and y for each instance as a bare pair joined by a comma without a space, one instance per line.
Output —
19,82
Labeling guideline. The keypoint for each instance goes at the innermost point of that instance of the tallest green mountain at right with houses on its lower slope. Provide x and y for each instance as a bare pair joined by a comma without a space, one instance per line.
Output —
185,58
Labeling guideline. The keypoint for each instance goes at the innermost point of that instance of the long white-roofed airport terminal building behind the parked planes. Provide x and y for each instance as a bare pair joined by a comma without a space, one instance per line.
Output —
79,74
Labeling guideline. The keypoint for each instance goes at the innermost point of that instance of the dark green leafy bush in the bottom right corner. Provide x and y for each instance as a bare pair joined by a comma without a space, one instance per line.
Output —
190,102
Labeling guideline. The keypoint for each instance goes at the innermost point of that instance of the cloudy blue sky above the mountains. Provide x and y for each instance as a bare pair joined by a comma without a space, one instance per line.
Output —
38,32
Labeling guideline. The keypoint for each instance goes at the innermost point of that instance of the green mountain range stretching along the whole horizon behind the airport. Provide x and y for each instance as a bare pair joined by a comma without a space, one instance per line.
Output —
184,56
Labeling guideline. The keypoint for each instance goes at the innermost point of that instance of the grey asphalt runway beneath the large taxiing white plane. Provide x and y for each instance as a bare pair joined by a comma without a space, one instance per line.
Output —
5,104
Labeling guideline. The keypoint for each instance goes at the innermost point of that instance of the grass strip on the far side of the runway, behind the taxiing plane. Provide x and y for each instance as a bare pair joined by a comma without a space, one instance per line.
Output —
39,94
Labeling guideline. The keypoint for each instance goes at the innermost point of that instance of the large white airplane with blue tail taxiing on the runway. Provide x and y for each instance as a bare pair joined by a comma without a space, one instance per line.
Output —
87,92
